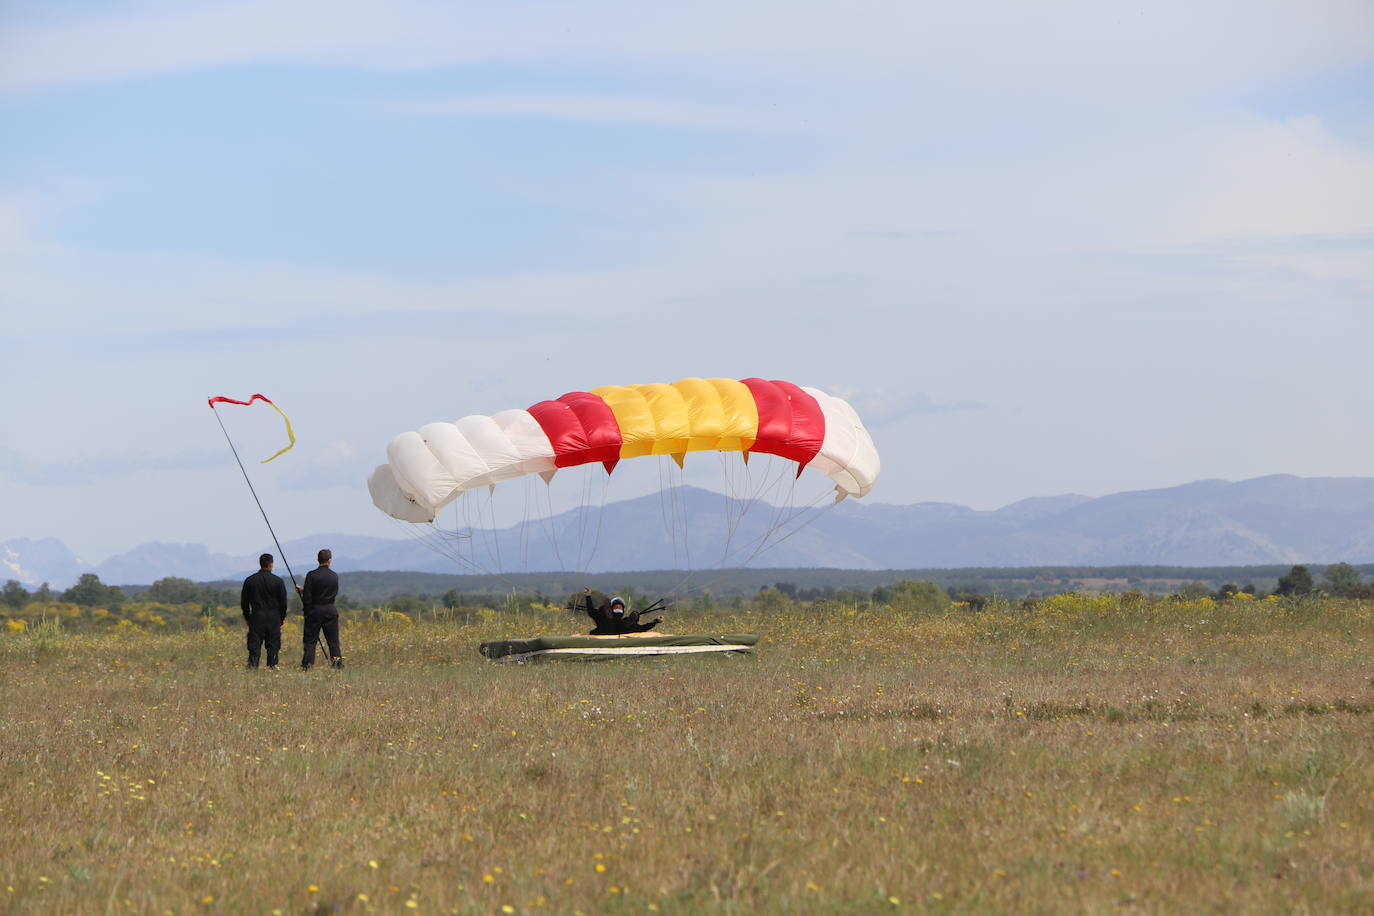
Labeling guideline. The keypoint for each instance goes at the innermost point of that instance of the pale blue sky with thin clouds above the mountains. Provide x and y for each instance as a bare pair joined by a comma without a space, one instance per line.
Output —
1066,248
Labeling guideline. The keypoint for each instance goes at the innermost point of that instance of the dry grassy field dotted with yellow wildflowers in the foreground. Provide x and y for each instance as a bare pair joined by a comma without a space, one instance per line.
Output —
1086,755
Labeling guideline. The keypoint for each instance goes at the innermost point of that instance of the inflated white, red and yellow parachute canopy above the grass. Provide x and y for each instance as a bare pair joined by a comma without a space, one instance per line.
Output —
431,468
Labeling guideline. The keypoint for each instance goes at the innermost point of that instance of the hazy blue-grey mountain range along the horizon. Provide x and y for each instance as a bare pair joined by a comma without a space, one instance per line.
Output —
1263,521
